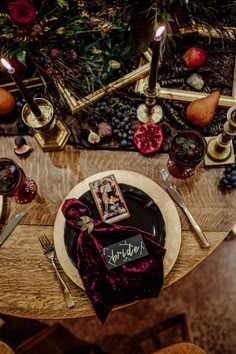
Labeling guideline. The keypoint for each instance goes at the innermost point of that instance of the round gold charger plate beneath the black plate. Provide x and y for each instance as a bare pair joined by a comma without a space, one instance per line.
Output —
158,195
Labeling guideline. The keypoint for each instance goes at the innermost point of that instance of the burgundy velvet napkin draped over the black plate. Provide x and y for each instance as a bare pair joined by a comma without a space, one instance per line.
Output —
139,279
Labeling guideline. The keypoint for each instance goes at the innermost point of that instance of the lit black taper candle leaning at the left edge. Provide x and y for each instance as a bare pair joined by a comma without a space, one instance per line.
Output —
25,93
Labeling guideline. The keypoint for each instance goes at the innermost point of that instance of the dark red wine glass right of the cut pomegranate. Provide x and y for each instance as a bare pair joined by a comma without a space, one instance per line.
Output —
187,149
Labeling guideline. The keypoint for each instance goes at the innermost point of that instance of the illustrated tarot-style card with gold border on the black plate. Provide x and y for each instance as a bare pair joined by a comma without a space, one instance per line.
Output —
109,199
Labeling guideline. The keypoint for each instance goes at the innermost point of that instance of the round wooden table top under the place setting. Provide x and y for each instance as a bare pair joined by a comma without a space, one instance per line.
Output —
28,284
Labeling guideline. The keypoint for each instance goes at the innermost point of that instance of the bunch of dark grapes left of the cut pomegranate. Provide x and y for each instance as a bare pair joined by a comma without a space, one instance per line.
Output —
121,124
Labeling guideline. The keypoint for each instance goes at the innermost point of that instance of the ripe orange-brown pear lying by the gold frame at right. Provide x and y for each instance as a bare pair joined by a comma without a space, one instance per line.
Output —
201,112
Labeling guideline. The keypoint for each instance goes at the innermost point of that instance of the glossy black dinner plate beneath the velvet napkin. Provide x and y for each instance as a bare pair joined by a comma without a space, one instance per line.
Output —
144,214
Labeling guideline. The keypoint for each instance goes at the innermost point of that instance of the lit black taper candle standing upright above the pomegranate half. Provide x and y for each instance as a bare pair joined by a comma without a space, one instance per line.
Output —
155,59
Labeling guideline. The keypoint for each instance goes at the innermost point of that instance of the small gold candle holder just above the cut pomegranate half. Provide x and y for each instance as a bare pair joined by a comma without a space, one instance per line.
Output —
150,111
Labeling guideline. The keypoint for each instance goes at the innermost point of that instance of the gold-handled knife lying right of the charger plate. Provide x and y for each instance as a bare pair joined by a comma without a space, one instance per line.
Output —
179,200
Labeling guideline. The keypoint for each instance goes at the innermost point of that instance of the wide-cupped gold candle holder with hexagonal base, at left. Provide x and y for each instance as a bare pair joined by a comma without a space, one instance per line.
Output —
50,132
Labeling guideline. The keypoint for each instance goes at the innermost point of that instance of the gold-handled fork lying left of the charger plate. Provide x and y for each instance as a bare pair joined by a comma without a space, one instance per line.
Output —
49,251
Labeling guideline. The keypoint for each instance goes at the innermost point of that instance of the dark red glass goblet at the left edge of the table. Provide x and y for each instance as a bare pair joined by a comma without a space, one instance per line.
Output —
14,183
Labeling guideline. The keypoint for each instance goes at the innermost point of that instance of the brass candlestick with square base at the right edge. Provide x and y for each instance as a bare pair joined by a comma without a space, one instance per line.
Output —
220,149
